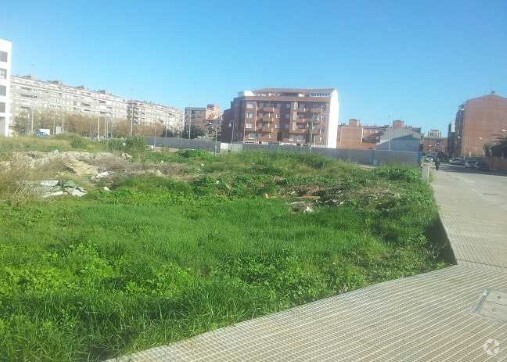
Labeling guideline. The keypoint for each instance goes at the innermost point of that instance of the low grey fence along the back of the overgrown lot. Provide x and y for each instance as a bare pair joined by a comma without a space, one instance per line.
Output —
364,157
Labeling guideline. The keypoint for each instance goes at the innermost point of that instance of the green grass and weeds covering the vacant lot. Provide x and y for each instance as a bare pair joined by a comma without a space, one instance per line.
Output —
157,259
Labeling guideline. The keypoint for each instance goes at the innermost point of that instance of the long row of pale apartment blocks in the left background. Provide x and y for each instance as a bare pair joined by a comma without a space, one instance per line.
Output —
30,95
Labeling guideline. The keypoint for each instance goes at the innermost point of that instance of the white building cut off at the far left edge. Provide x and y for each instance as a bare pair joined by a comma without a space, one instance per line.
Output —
5,87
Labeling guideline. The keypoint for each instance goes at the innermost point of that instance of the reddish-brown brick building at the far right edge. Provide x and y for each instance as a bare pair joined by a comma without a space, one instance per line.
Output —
479,121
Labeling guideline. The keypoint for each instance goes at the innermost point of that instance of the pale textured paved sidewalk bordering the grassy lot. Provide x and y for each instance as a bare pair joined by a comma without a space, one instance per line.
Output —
429,317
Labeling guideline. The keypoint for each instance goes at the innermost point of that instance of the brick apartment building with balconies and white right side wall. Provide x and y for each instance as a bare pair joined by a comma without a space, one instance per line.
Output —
285,116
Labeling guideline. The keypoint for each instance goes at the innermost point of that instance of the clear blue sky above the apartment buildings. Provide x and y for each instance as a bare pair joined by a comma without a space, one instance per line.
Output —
413,60
